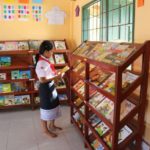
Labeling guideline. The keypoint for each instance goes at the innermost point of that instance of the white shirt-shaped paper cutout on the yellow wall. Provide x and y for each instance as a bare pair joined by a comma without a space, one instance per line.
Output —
55,16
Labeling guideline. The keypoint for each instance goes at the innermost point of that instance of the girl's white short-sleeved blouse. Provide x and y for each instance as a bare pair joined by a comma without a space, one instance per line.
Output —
43,69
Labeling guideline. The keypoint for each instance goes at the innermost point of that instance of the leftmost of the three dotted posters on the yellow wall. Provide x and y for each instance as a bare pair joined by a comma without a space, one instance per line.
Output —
8,12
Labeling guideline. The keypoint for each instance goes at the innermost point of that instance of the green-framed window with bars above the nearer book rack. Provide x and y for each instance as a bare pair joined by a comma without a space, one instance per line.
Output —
108,20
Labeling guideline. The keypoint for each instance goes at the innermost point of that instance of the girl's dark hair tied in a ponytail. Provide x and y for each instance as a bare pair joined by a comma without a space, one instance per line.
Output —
45,46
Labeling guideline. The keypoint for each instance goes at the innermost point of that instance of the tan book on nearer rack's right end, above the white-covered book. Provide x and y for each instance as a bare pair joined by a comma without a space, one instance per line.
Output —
126,107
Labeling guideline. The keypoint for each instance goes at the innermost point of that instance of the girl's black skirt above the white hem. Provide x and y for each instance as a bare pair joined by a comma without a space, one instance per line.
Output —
48,96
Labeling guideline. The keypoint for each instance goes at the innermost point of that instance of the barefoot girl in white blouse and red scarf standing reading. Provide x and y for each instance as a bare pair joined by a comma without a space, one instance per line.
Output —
49,102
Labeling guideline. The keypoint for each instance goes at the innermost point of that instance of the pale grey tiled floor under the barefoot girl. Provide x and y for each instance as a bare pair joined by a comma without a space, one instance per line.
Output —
21,130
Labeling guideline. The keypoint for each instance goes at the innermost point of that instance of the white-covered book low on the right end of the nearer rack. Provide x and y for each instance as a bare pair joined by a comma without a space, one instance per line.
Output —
124,133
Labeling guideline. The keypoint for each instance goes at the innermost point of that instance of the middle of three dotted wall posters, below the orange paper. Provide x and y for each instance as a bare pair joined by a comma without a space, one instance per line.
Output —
23,12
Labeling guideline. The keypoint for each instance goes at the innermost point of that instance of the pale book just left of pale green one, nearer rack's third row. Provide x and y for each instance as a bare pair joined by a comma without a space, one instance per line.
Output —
96,99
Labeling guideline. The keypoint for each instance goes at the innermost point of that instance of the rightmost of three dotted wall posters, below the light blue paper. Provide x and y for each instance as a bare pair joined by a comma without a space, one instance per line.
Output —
37,13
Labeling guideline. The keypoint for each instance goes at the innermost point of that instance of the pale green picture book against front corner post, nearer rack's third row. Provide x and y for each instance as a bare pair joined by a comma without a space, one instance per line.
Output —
106,108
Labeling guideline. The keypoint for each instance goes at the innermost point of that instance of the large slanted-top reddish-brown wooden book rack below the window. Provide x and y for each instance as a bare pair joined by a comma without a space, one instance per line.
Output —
112,133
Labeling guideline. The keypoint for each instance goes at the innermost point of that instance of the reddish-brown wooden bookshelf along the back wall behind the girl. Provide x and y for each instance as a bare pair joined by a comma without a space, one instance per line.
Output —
17,61
